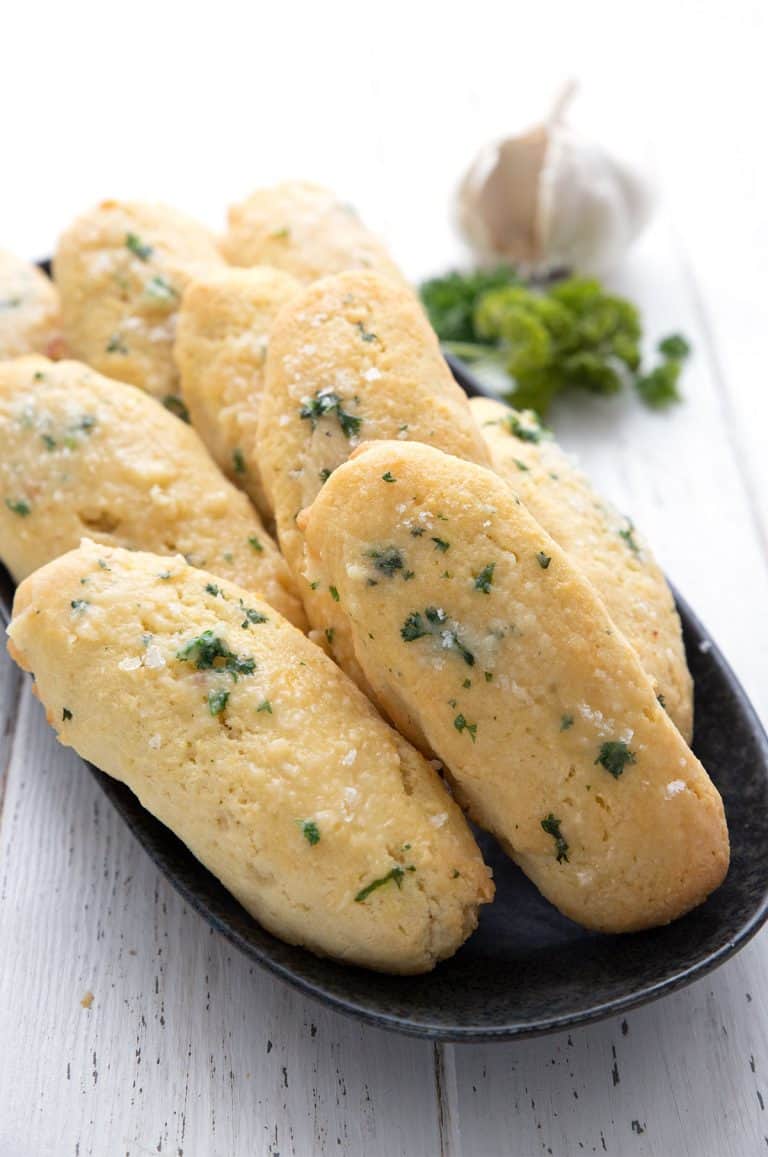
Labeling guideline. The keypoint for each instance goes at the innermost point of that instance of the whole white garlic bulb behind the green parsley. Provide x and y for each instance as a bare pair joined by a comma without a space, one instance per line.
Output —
552,197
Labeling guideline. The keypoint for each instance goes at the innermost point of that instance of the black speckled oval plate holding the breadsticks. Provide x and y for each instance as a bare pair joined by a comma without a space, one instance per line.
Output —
528,970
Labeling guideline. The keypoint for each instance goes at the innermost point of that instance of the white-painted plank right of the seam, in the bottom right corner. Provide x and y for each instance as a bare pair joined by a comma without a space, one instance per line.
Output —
685,1077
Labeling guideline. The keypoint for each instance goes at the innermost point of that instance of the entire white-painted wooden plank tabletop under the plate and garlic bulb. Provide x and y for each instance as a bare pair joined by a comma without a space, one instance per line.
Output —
127,1027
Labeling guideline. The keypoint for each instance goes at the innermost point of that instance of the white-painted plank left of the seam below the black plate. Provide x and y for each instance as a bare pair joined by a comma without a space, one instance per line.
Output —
187,1048
